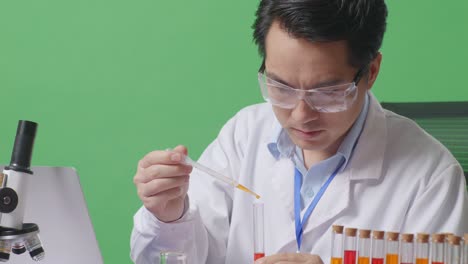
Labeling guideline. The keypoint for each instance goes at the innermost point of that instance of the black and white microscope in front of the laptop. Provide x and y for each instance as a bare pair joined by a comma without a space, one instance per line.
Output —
16,236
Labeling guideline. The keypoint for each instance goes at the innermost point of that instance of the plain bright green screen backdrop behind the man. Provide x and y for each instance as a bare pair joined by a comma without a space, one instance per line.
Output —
109,81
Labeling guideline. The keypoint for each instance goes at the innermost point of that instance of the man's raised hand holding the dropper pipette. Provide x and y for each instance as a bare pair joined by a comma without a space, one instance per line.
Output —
162,183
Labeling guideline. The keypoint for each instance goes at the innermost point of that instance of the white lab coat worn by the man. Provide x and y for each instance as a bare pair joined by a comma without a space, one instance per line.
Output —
398,179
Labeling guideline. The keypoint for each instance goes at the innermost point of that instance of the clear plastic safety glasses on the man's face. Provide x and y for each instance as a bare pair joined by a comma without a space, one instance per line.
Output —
330,99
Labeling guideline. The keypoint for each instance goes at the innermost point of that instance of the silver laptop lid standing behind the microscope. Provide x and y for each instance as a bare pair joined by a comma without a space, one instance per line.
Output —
55,202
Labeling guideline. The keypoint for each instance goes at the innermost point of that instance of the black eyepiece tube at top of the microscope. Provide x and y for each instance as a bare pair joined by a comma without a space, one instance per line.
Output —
22,150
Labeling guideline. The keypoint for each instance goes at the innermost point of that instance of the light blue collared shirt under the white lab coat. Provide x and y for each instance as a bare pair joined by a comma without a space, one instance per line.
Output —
313,179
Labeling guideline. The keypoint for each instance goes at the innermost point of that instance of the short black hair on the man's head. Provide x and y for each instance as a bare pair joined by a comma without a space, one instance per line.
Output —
361,23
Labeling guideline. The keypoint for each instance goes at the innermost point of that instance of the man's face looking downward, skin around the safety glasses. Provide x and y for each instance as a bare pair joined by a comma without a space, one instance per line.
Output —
301,64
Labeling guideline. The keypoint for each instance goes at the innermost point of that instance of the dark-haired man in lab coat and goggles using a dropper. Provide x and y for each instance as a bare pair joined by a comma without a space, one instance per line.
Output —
322,151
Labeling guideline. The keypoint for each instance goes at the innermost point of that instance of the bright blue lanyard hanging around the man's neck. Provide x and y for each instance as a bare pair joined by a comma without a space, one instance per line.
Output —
297,202
